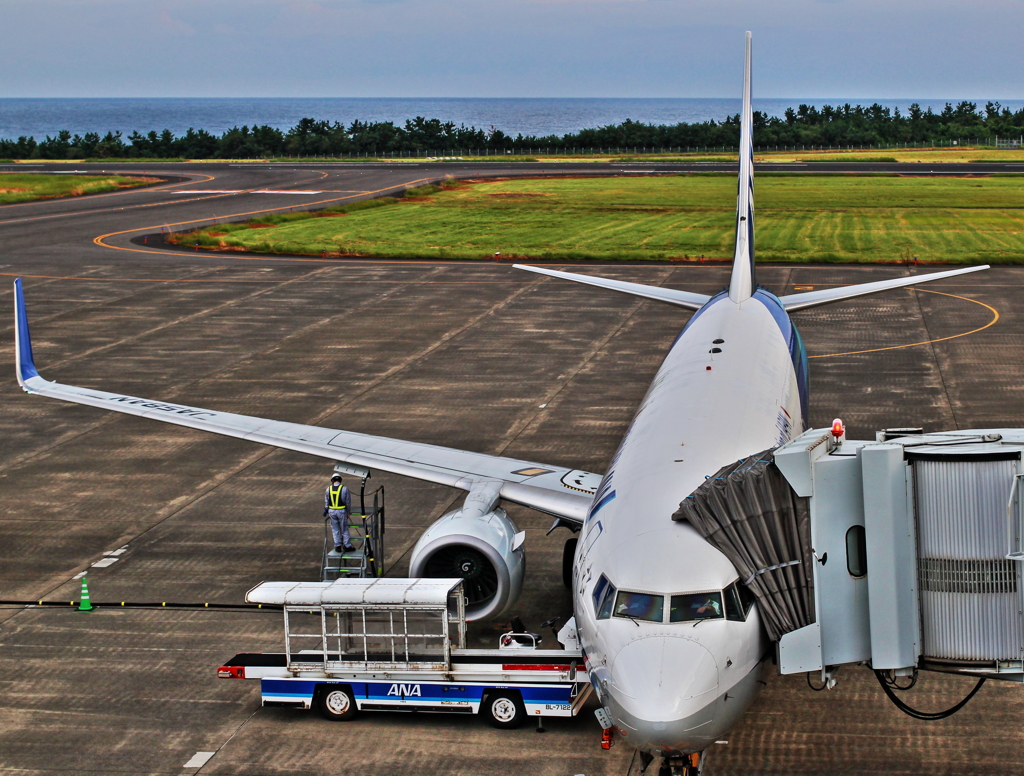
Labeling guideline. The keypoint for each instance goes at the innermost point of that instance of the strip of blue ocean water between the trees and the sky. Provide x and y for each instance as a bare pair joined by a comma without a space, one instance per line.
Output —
527,116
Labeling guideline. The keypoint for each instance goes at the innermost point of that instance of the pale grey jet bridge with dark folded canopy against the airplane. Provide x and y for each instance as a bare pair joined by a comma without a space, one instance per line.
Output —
904,552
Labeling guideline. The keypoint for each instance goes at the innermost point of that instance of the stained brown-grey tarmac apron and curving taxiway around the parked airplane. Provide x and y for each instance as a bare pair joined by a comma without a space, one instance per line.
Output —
479,357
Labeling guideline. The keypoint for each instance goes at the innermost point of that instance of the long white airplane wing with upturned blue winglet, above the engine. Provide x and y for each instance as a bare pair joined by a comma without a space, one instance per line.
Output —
557,491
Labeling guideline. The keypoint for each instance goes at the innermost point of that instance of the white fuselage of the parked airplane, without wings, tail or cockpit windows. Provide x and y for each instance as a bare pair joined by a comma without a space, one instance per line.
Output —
678,686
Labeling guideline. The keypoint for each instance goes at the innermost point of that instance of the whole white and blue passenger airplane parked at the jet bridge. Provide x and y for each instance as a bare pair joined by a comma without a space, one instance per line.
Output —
672,640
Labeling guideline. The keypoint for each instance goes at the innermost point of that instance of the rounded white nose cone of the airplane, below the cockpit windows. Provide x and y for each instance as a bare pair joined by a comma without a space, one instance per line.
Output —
665,688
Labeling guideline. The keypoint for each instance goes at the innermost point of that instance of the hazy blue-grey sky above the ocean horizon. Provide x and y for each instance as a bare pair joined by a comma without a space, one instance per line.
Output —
936,50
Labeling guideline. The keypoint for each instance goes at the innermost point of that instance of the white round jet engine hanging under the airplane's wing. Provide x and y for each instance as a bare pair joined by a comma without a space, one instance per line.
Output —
481,544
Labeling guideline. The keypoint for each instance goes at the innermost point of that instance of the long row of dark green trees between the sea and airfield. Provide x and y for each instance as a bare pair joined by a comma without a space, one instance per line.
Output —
842,125
